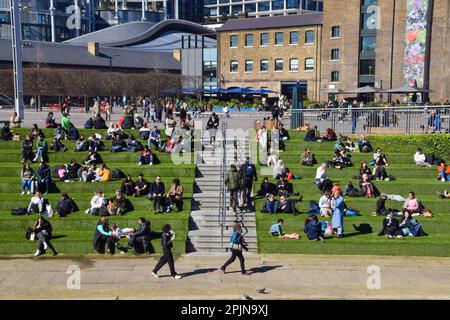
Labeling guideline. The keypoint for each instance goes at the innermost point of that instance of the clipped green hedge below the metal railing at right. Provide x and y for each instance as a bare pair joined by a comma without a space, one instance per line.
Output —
438,144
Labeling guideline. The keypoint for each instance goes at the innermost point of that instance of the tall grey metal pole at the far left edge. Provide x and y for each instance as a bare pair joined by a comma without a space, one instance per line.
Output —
17,57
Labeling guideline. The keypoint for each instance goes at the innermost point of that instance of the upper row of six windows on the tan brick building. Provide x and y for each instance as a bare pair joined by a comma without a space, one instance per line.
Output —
264,39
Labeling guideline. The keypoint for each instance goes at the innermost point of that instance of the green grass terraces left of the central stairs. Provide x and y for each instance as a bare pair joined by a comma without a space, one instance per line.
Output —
73,234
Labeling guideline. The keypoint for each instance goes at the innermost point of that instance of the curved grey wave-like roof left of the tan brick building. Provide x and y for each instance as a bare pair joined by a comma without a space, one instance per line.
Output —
161,36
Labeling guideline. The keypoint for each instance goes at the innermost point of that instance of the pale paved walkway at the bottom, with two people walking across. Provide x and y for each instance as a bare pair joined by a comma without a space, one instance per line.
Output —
284,277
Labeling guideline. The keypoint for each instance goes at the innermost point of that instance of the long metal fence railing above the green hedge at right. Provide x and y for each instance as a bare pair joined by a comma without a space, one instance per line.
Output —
395,120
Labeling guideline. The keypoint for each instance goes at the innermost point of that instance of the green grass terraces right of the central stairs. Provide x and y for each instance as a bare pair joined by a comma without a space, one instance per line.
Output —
409,177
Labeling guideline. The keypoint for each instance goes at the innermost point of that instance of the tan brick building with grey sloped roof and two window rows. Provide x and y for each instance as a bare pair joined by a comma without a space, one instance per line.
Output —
271,53
